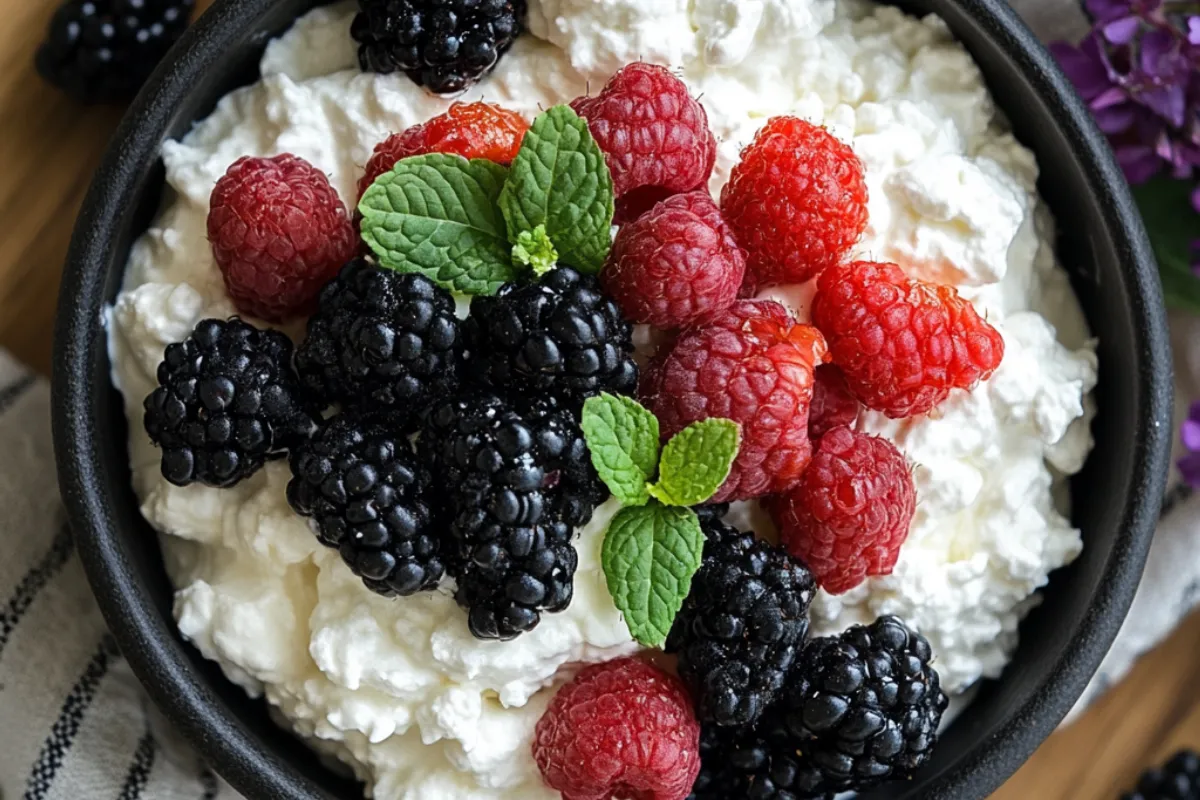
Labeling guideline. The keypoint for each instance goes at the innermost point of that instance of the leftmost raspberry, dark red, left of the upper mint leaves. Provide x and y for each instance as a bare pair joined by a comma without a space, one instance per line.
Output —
279,233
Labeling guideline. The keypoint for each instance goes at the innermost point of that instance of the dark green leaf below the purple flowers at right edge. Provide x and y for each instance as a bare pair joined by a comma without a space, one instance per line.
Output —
1172,224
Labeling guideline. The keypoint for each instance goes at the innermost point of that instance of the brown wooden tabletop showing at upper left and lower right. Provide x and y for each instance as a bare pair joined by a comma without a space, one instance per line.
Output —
49,151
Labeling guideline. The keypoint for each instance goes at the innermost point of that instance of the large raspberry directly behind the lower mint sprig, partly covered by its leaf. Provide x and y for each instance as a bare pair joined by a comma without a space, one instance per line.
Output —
754,365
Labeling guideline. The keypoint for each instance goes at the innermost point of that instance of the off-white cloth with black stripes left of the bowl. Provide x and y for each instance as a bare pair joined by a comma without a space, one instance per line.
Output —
75,725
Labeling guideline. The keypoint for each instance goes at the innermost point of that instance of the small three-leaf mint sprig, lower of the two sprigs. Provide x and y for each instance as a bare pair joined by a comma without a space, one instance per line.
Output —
655,545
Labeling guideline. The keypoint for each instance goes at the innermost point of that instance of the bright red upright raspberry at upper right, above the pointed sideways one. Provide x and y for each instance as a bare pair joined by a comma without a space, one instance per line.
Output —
797,202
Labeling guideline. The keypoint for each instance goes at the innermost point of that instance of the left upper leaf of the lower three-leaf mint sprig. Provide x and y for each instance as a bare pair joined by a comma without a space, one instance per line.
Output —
623,437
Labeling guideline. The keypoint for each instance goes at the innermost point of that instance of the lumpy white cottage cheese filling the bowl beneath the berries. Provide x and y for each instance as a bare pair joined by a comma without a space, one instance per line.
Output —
398,689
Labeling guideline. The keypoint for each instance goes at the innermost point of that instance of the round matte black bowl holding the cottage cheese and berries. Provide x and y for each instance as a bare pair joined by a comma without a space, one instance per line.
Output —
1117,497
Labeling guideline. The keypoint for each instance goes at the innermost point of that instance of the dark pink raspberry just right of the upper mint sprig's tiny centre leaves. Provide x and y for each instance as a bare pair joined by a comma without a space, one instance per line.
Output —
676,264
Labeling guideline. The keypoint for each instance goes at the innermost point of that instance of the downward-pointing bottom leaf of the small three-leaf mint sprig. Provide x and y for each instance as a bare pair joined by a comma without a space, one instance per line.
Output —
650,556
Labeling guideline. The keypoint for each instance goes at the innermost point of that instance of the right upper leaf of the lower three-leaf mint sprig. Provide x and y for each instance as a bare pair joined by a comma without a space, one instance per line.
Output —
697,462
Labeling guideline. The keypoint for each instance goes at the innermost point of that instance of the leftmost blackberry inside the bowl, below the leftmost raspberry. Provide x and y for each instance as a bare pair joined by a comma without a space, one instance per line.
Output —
227,401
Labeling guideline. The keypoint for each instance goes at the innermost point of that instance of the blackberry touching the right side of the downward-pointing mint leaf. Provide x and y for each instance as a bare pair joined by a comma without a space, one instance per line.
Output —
742,627
